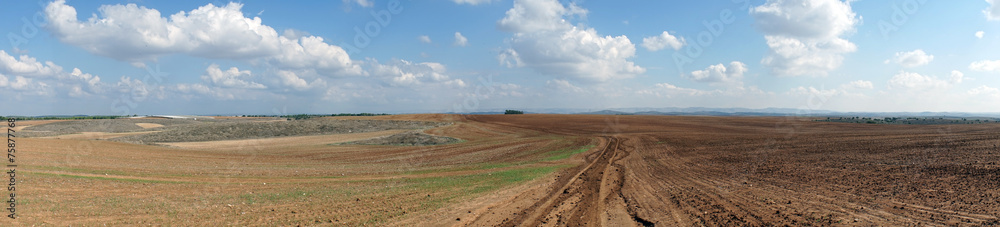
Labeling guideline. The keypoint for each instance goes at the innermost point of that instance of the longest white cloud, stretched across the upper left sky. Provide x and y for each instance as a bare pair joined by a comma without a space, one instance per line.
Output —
134,34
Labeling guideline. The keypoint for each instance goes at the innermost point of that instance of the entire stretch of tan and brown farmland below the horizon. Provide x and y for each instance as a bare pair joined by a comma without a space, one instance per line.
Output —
507,170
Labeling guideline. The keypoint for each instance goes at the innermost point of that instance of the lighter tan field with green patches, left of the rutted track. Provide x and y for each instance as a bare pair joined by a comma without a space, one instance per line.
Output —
302,180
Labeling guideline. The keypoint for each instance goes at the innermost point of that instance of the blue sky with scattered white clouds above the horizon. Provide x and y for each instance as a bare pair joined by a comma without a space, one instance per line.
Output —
403,56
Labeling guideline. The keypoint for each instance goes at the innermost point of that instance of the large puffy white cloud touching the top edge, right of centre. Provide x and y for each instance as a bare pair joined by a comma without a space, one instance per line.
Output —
805,36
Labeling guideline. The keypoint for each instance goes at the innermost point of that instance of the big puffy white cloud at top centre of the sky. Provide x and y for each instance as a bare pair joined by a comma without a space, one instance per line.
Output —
545,41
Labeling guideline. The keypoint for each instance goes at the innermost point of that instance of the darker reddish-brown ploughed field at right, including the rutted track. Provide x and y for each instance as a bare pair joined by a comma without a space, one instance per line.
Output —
691,171
